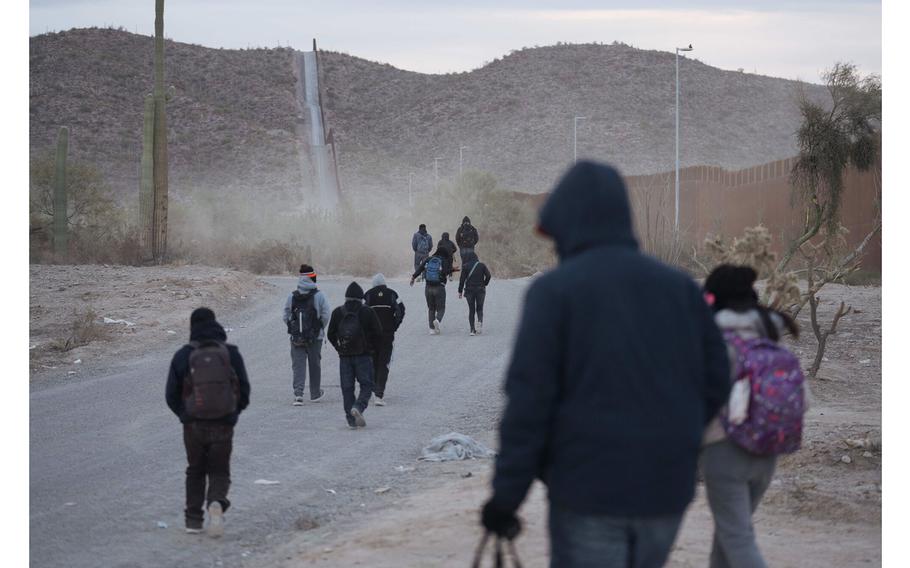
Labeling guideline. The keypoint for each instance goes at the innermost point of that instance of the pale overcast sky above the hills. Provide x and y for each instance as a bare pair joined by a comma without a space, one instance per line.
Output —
792,39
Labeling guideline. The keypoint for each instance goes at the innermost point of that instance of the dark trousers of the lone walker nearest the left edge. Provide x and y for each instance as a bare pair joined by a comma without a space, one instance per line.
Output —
208,453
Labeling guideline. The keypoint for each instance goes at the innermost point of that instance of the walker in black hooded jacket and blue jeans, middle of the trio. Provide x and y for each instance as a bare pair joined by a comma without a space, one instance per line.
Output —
355,331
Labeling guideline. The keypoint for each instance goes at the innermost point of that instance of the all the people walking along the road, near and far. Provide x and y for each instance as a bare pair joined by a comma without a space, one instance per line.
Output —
626,378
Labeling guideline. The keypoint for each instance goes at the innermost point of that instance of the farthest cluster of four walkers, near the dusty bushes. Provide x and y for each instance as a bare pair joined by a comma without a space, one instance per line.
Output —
437,269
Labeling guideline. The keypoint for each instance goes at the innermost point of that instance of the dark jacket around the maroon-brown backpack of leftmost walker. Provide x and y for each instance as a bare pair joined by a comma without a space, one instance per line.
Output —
180,366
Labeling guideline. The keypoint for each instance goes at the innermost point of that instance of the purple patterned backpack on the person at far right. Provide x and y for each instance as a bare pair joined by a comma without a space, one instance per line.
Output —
774,424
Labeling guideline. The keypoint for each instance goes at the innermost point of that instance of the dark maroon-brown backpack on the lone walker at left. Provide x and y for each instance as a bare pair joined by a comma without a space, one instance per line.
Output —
211,388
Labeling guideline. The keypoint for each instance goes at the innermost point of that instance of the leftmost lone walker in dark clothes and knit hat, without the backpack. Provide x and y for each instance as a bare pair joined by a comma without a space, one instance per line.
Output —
208,443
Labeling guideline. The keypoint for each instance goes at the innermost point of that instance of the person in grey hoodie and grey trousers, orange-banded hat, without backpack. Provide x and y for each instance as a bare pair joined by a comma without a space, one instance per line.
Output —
308,356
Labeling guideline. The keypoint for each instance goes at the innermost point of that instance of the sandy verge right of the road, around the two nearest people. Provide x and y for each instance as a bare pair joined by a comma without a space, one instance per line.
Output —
823,508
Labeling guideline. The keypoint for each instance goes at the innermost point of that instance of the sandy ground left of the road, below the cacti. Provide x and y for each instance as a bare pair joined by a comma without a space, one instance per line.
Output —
155,301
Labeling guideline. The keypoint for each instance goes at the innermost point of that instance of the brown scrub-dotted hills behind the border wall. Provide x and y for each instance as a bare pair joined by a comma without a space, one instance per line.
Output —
232,120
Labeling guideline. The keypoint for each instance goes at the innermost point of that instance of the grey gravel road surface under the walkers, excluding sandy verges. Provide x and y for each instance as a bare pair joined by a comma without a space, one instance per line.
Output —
107,459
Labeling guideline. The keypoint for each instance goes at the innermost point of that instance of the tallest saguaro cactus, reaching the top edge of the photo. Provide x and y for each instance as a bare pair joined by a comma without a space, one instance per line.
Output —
160,140
